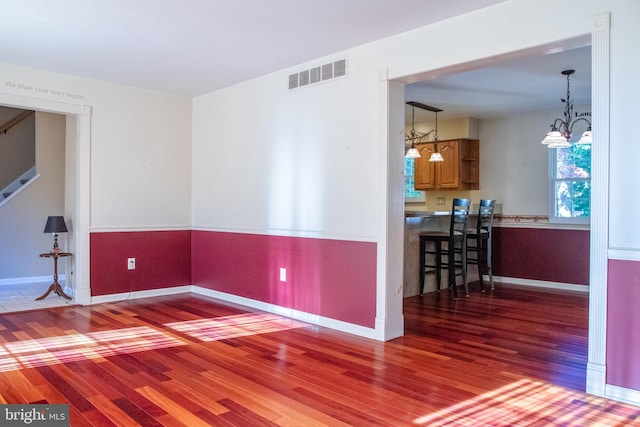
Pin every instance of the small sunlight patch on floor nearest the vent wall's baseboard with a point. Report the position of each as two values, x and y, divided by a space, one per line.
235 326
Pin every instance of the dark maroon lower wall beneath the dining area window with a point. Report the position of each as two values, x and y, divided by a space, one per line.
542 254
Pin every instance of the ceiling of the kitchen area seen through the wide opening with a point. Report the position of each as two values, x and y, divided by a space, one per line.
531 82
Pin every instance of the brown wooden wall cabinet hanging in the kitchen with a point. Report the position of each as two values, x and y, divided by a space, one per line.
459 170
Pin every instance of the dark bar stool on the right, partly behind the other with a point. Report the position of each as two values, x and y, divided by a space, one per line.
479 252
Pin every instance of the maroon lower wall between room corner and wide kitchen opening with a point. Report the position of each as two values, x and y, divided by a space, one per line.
331 278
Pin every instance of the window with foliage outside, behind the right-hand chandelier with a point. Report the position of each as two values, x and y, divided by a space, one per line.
570 184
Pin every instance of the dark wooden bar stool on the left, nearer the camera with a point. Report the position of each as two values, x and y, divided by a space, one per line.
455 249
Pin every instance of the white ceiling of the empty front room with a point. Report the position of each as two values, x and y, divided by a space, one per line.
191 47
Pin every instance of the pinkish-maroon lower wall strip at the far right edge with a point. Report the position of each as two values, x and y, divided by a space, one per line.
623 324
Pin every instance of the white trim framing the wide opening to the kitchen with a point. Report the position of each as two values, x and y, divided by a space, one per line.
597 29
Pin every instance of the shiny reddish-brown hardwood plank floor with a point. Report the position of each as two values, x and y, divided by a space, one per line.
514 357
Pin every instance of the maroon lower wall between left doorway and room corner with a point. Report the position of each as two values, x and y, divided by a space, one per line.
163 260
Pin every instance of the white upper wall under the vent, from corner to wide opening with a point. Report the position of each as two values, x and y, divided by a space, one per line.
267 159
